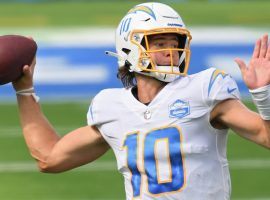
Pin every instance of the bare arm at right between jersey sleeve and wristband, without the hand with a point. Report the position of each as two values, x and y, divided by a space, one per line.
234 114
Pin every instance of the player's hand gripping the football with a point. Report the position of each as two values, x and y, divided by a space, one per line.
26 80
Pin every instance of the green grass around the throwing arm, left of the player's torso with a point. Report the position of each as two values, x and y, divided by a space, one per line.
20 179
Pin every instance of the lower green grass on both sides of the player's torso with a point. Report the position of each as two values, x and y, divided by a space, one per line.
20 179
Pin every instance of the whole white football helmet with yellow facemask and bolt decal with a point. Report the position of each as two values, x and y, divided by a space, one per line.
132 40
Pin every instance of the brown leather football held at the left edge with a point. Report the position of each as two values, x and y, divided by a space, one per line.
15 52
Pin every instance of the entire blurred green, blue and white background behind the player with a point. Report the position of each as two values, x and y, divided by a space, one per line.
72 37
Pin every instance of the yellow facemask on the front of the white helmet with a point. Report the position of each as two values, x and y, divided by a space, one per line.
148 66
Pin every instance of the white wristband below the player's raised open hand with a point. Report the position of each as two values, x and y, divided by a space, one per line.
261 98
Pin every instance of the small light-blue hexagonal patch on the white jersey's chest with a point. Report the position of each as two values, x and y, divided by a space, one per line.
179 109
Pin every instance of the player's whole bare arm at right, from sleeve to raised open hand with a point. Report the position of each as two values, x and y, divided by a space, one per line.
256 75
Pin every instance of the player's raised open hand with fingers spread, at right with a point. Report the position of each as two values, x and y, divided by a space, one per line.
257 73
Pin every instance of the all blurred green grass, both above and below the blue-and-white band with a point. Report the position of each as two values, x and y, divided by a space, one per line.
20 180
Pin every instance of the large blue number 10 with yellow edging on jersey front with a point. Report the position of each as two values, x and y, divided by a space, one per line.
173 137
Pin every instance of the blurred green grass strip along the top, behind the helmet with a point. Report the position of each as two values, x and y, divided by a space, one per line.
109 13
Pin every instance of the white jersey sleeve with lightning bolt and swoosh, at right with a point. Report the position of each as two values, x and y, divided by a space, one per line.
219 86
